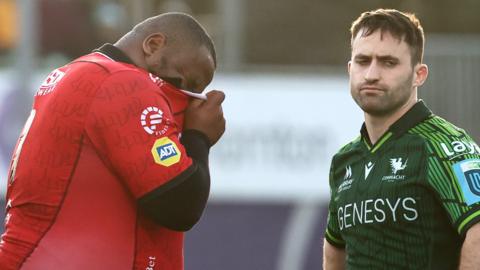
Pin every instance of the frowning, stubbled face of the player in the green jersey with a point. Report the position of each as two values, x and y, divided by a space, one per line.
381 74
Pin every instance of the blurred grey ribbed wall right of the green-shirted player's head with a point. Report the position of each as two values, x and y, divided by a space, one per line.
453 87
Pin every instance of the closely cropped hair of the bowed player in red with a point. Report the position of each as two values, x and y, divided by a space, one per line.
179 28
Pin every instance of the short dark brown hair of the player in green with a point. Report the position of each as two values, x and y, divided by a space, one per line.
404 26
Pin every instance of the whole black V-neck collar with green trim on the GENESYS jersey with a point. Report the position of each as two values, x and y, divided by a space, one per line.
418 113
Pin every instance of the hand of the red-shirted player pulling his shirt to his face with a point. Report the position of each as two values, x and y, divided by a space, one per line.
207 116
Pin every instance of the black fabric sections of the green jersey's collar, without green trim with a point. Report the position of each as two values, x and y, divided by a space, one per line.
418 113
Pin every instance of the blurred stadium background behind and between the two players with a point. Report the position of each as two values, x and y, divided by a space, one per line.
282 65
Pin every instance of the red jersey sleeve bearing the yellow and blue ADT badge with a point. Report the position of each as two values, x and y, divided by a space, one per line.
132 127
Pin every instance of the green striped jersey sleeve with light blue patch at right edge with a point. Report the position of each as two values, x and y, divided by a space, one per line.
454 173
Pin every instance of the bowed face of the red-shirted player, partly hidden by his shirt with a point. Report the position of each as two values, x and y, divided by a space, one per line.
187 69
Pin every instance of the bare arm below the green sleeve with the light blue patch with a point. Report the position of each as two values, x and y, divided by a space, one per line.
469 258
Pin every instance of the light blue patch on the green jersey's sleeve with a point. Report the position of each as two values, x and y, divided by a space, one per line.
468 176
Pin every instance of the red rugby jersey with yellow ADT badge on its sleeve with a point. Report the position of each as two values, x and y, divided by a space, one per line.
101 135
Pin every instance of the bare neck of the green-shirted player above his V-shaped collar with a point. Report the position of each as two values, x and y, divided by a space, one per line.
378 125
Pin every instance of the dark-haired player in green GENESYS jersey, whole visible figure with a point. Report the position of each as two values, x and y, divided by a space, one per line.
405 194
